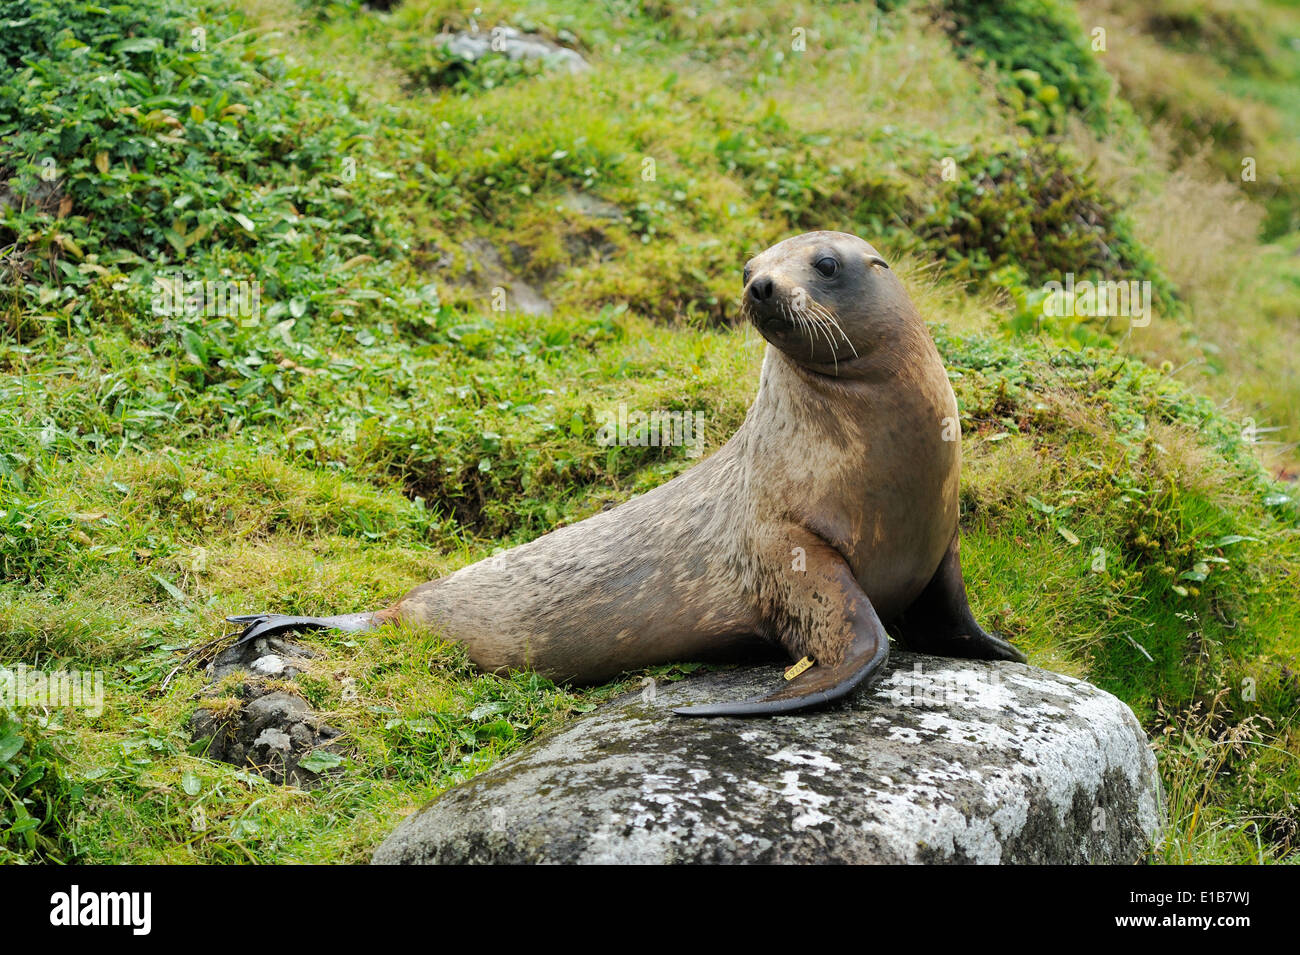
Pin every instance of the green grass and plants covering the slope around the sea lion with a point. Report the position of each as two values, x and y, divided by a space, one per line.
383 426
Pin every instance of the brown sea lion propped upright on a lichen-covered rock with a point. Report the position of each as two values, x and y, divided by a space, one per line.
829 516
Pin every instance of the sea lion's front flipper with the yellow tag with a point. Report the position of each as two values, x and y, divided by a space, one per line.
837 613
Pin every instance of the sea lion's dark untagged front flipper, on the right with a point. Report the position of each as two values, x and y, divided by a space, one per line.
941 620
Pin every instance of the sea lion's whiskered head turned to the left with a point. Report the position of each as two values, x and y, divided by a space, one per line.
829 301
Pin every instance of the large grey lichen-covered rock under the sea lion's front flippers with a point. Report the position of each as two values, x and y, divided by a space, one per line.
942 762
